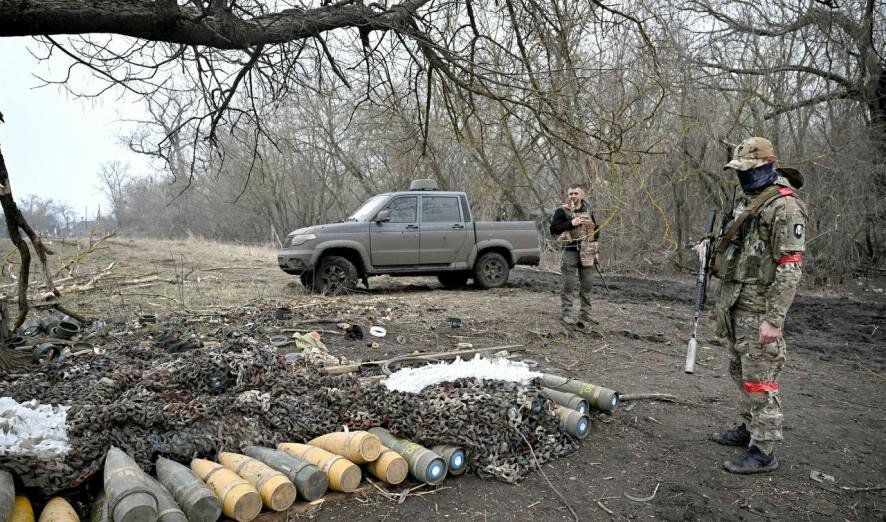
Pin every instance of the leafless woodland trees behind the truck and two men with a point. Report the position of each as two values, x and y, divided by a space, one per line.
510 101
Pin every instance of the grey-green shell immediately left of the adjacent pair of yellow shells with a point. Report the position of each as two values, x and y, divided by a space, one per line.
197 501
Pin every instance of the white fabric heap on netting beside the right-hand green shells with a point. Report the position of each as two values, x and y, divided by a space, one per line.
414 380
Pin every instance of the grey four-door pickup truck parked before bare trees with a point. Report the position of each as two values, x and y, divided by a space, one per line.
421 231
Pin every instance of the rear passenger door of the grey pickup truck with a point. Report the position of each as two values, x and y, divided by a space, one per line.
443 230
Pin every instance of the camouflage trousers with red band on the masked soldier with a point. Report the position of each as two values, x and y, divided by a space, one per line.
755 369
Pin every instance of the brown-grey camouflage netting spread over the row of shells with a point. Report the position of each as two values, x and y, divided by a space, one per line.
200 402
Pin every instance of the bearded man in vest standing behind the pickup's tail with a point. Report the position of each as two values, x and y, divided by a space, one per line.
576 230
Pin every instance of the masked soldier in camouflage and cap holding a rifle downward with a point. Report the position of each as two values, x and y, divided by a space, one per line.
759 260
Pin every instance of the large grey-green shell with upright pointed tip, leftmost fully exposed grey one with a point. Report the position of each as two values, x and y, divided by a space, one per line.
129 498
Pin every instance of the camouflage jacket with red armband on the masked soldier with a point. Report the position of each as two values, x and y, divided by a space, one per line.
768 257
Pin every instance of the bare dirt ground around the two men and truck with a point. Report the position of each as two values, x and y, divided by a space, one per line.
834 387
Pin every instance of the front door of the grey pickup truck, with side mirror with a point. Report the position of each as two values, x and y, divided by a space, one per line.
396 242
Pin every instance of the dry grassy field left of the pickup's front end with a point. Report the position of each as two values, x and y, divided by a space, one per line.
153 275
